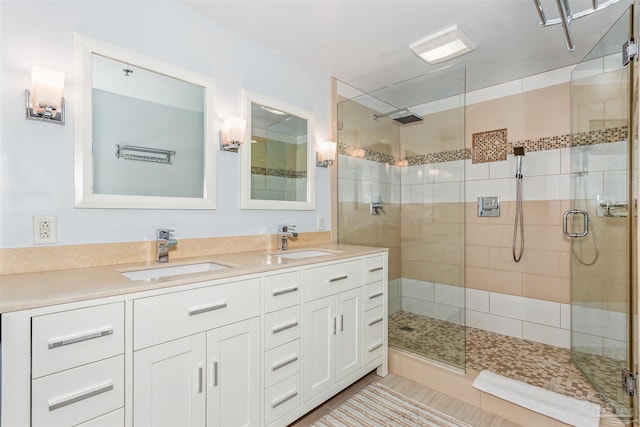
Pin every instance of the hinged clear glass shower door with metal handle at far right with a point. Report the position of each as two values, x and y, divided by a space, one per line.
600 218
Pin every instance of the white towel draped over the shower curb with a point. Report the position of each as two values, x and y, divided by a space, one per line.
557 406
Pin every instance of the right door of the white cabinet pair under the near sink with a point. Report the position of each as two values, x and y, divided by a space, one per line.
233 396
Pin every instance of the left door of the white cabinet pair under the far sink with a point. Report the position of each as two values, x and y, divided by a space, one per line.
318 346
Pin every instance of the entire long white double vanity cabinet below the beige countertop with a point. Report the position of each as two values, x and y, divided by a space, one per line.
254 349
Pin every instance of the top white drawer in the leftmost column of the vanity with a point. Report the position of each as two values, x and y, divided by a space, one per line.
72 338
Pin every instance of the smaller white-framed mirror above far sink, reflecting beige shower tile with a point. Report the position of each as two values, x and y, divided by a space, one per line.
278 158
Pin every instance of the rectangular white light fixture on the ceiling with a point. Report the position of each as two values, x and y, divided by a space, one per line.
443 46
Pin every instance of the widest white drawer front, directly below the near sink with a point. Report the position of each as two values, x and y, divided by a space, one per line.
175 315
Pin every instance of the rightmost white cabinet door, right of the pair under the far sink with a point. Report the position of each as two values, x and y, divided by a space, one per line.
349 332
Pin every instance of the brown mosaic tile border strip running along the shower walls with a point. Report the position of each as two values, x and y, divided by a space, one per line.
594 137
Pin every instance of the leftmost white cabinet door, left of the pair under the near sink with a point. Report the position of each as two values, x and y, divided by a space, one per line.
169 383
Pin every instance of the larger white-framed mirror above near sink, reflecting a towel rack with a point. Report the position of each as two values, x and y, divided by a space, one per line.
144 131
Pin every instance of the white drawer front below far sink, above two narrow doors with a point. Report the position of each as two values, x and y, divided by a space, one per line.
327 280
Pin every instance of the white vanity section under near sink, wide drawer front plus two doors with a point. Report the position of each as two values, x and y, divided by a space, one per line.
192 373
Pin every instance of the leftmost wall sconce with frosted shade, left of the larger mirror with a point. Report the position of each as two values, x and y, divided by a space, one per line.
45 102
